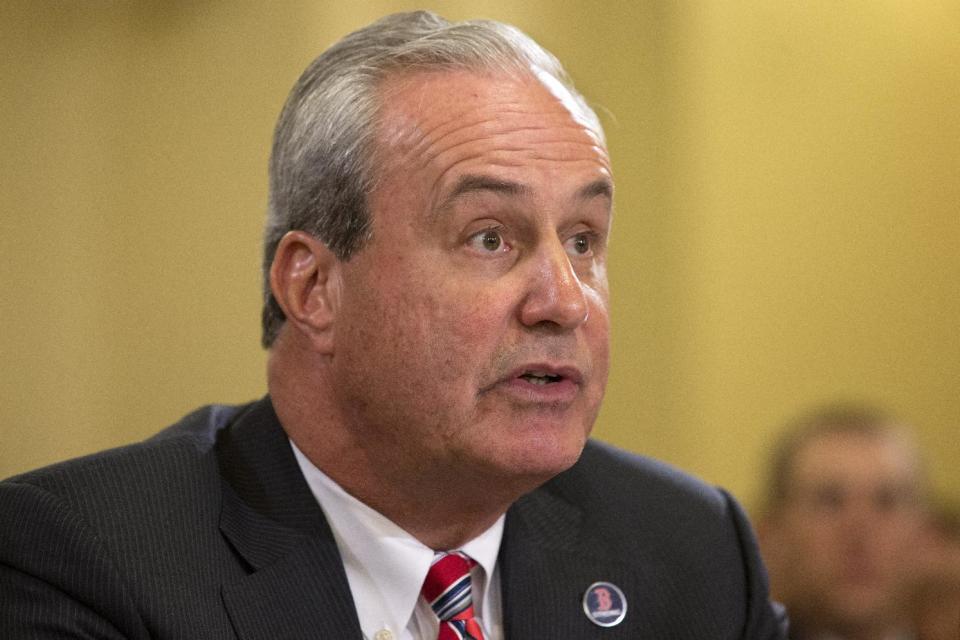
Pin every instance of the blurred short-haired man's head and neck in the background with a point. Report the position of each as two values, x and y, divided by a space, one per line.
843 519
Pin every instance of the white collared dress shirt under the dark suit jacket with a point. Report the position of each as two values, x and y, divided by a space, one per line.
386 566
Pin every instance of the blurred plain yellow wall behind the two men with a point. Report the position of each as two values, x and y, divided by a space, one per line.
787 226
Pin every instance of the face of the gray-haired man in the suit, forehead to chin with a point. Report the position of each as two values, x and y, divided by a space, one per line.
472 333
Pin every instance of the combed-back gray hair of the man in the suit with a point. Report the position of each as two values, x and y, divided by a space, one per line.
321 164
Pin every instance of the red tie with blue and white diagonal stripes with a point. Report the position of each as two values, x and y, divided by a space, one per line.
447 589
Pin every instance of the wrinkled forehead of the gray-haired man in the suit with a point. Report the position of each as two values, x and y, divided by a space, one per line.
449 121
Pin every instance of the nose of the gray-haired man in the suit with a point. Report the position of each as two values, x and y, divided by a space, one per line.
555 296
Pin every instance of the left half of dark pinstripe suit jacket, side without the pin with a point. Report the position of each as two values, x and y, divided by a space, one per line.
154 541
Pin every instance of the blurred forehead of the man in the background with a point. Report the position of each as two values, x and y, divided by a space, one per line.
854 459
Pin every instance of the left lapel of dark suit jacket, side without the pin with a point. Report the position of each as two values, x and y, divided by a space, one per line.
295 586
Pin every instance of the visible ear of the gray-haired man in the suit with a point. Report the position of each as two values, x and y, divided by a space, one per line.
305 280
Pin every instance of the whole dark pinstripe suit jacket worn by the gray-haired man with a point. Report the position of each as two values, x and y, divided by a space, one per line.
209 530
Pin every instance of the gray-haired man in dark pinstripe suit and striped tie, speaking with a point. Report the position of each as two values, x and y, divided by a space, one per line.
437 316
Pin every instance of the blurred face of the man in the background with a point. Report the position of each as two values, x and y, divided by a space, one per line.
848 529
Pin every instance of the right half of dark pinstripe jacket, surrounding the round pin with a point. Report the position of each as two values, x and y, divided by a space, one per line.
680 550
